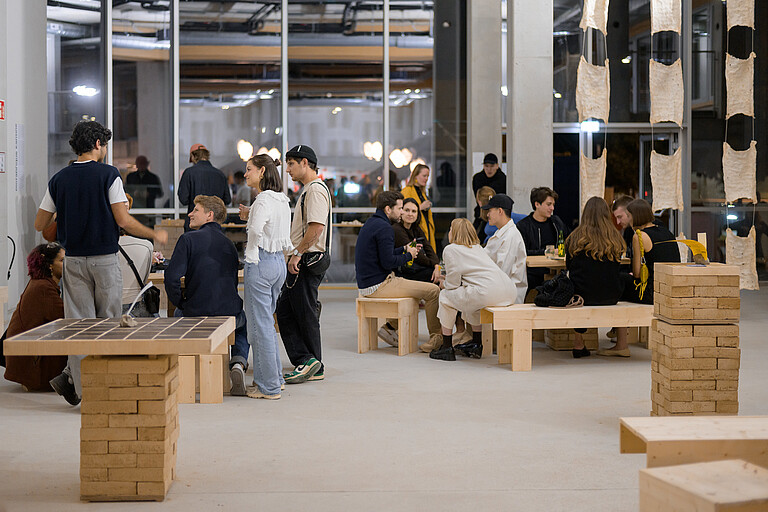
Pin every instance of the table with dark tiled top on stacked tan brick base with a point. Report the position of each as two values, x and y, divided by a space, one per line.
129 411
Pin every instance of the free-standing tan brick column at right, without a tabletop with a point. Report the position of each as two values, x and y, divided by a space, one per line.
695 340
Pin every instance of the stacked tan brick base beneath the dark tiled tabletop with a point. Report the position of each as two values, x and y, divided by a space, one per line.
129 427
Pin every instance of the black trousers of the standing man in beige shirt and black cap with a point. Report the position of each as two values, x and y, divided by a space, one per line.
298 316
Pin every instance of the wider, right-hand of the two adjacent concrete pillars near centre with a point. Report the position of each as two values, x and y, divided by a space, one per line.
529 103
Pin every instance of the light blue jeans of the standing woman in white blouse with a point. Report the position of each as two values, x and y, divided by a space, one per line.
262 287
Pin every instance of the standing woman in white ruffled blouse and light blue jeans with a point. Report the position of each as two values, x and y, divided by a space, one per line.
269 236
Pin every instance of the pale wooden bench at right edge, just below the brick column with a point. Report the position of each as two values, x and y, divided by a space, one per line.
672 440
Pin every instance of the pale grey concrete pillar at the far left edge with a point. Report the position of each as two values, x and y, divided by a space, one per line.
23 133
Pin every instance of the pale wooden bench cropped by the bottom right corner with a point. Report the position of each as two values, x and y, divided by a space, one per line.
733 485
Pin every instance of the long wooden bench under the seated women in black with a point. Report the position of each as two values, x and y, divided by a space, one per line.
513 325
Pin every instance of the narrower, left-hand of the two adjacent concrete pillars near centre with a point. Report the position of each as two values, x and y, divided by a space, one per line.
483 86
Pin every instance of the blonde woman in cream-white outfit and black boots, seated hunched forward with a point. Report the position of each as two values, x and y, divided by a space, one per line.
472 282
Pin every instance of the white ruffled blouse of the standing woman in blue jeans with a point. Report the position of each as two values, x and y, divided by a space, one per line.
269 225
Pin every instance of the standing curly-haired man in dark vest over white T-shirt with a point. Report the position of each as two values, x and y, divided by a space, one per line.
89 201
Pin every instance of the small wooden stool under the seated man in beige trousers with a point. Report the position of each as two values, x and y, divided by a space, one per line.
406 310
